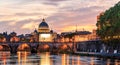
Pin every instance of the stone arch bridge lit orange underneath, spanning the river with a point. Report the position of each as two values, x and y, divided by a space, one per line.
34 47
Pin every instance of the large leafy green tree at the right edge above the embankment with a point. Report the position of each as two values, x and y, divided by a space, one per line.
109 24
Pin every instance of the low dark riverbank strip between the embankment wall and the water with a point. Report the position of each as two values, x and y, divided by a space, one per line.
104 55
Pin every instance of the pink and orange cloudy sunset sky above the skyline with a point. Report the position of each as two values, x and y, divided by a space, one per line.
23 16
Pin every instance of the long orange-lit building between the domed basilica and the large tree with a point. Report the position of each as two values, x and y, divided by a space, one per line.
78 36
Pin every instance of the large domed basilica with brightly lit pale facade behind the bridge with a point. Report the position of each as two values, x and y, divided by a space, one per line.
44 34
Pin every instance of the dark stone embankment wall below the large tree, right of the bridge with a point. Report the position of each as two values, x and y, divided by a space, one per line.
97 47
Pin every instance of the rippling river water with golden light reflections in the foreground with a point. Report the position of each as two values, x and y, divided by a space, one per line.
25 58
